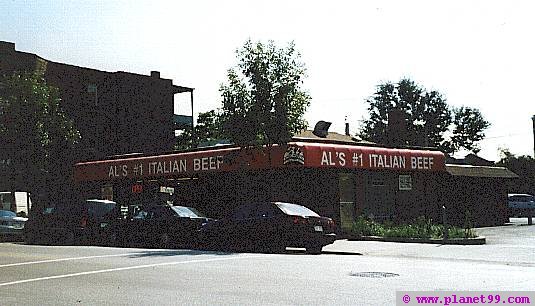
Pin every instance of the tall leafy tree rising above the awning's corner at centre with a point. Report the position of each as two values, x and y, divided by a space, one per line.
263 102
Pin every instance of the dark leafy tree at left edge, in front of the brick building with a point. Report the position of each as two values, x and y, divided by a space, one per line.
37 140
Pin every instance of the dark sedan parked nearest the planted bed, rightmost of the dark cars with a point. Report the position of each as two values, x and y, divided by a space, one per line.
270 226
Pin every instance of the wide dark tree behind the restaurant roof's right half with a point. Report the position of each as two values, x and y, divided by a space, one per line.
426 118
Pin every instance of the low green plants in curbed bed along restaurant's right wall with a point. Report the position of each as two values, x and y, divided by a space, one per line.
421 228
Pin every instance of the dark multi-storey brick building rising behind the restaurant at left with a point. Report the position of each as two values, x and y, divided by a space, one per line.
115 112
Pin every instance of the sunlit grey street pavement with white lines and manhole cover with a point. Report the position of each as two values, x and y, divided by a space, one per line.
347 273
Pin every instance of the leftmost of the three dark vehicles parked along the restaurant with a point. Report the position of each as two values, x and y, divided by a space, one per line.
78 222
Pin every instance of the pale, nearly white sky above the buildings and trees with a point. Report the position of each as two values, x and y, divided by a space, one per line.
475 53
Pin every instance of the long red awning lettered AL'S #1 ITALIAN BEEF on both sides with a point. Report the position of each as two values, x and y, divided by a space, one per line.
296 154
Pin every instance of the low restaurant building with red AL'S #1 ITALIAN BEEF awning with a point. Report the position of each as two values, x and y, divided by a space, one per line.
341 181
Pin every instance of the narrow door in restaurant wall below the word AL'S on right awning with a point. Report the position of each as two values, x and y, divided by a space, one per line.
347 191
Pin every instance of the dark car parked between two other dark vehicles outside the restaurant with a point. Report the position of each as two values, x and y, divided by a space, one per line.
161 226
